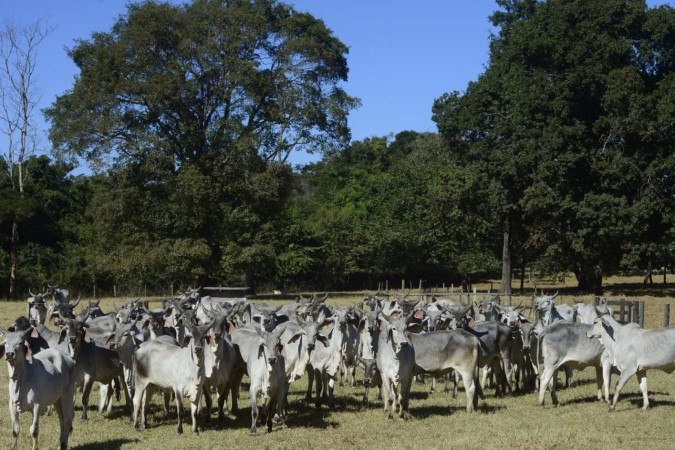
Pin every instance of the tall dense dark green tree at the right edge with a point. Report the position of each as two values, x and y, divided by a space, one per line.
558 118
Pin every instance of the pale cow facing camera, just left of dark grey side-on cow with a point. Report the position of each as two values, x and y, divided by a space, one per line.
395 361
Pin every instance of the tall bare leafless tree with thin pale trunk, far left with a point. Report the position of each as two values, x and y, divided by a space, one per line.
18 99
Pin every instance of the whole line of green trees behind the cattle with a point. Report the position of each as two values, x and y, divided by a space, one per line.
558 157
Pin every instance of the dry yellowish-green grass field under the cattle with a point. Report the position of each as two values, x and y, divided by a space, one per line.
437 420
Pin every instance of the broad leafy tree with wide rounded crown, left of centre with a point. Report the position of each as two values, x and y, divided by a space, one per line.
194 109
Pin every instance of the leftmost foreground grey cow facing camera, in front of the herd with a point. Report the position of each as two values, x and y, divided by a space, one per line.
37 381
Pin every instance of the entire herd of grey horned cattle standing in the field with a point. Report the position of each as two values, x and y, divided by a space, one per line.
195 346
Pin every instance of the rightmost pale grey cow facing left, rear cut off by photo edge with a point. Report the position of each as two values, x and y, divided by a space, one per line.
633 350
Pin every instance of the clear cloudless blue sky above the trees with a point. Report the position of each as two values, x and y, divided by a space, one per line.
403 53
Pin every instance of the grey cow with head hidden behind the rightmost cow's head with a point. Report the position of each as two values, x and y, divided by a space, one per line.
566 344
